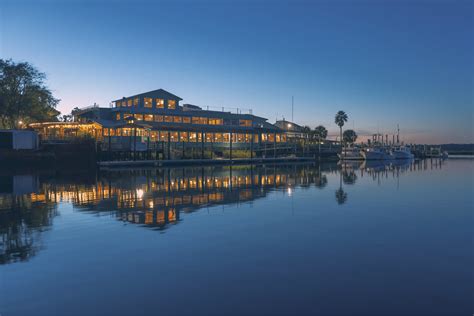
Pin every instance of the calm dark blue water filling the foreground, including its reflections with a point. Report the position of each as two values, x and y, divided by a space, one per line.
286 239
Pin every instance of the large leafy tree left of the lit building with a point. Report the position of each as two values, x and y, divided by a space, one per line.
24 95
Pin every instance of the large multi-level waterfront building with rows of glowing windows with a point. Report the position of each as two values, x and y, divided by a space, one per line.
142 121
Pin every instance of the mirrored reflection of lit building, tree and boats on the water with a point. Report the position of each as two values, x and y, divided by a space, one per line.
158 199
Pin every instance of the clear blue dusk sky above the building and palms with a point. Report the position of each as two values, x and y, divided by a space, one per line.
383 62
